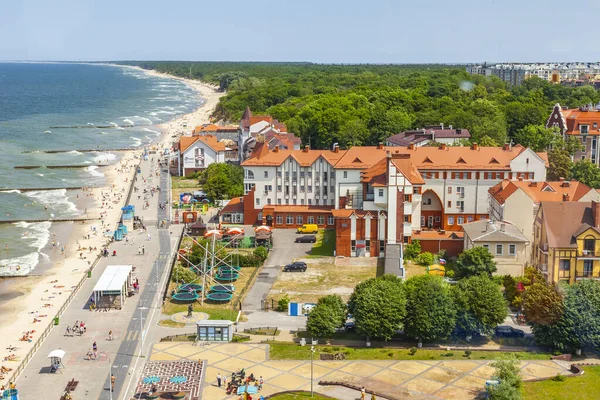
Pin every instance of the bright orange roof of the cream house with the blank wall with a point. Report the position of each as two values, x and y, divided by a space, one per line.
540 191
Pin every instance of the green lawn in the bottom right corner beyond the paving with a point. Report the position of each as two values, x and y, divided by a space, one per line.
585 387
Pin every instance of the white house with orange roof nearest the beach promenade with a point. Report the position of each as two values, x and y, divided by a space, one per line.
196 153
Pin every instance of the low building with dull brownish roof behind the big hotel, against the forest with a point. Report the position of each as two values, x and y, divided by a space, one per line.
422 137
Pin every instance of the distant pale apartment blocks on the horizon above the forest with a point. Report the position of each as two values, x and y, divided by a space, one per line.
574 74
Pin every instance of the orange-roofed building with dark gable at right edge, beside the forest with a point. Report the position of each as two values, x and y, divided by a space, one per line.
582 123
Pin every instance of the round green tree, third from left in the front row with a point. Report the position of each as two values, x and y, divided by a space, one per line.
430 310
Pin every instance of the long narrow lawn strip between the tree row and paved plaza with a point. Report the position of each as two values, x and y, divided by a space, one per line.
293 351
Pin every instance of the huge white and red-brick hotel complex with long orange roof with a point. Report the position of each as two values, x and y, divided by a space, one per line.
378 196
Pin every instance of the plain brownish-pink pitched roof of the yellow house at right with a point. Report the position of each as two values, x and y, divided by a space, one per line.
563 219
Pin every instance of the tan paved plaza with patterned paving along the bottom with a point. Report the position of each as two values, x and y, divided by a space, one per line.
415 379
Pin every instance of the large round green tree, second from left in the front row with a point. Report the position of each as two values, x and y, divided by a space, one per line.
378 306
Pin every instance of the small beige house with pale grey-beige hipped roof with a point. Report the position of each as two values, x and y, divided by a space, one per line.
503 240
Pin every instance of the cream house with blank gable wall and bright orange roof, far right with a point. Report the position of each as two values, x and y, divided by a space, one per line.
517 202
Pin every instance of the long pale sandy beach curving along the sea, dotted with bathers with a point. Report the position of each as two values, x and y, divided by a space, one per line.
30 303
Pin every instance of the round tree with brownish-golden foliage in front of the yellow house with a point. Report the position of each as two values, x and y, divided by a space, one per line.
542 304
